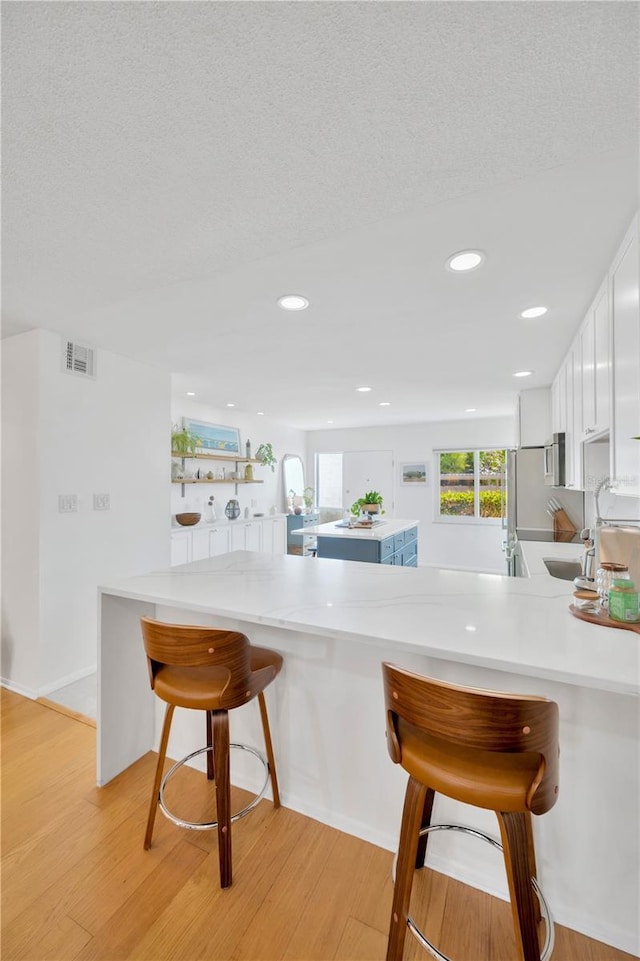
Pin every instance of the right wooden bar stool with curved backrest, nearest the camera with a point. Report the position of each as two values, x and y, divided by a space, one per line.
495 751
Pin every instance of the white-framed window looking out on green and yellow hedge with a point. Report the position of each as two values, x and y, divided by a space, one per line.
471 484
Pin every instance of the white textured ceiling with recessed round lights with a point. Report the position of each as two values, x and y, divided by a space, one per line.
170 169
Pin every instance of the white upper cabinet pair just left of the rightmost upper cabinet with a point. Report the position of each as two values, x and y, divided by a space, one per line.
594 340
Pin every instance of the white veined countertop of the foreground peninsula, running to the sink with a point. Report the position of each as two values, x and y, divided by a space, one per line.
520 625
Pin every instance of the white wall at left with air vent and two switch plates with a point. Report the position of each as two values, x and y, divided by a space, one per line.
82 436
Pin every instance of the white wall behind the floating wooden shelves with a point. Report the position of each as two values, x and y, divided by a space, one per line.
259 498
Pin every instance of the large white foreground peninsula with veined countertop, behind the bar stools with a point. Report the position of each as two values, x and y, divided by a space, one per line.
334 622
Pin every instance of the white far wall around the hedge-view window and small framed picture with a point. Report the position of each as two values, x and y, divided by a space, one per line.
467 546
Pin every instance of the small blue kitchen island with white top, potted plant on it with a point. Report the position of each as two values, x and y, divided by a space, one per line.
392 542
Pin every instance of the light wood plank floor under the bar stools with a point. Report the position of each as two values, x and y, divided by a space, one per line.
77 884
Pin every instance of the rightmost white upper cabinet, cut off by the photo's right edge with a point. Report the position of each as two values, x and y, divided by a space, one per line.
625 322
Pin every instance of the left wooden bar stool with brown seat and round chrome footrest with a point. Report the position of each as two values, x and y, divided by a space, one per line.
209 670
